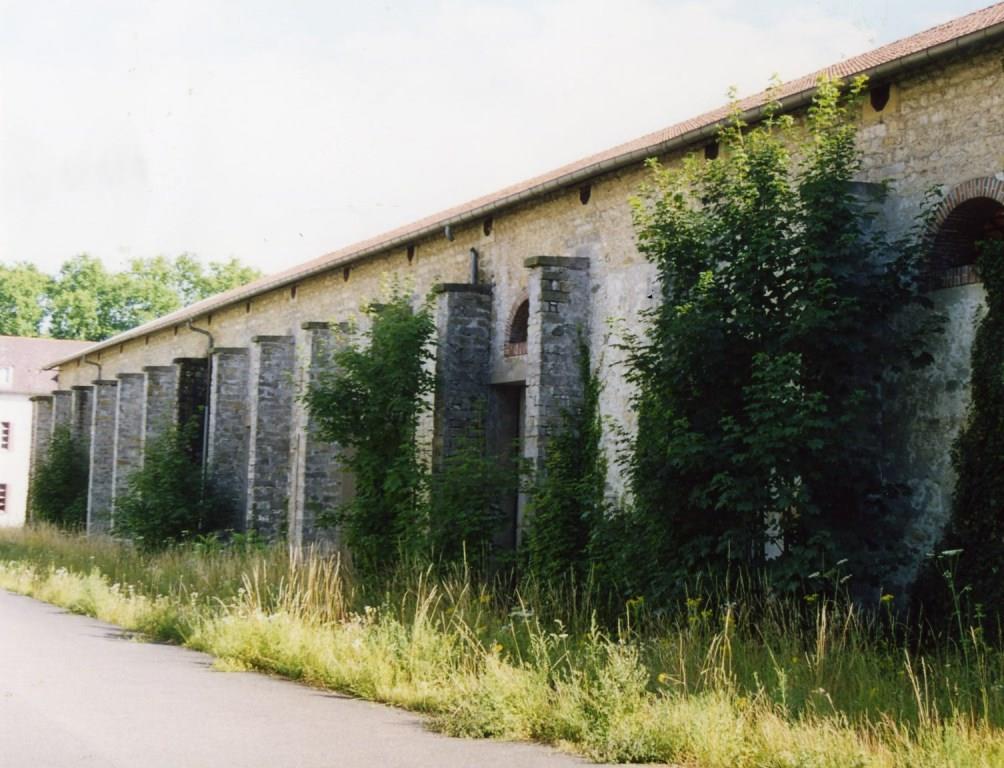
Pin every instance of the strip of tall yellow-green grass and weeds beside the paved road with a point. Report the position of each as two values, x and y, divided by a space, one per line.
718 684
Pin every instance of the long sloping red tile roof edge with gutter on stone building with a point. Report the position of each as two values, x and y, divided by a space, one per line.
942 40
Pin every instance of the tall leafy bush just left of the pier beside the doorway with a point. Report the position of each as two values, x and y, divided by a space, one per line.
370 404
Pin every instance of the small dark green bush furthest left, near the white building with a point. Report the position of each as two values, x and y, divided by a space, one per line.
58 493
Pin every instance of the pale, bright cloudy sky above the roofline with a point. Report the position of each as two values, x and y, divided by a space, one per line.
278 132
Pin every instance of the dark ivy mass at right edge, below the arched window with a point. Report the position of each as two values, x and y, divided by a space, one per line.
977 525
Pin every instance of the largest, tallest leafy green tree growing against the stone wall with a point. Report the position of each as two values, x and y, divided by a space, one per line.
759 379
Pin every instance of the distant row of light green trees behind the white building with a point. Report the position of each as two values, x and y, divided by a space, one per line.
86 301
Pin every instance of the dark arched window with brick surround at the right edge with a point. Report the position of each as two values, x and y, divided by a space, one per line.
955 245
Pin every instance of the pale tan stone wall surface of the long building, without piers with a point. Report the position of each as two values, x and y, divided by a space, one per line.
943 126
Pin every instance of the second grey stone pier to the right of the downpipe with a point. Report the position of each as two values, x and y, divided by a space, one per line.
271 413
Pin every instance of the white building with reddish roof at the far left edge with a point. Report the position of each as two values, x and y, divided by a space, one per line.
22 378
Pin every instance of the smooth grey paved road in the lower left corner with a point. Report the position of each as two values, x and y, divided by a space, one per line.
76 692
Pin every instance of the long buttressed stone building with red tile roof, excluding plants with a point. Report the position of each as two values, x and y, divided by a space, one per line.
520 275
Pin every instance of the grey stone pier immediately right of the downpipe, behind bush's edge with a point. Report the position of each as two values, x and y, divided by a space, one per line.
227 458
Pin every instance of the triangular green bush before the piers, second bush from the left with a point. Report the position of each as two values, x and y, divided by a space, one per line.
169 500
